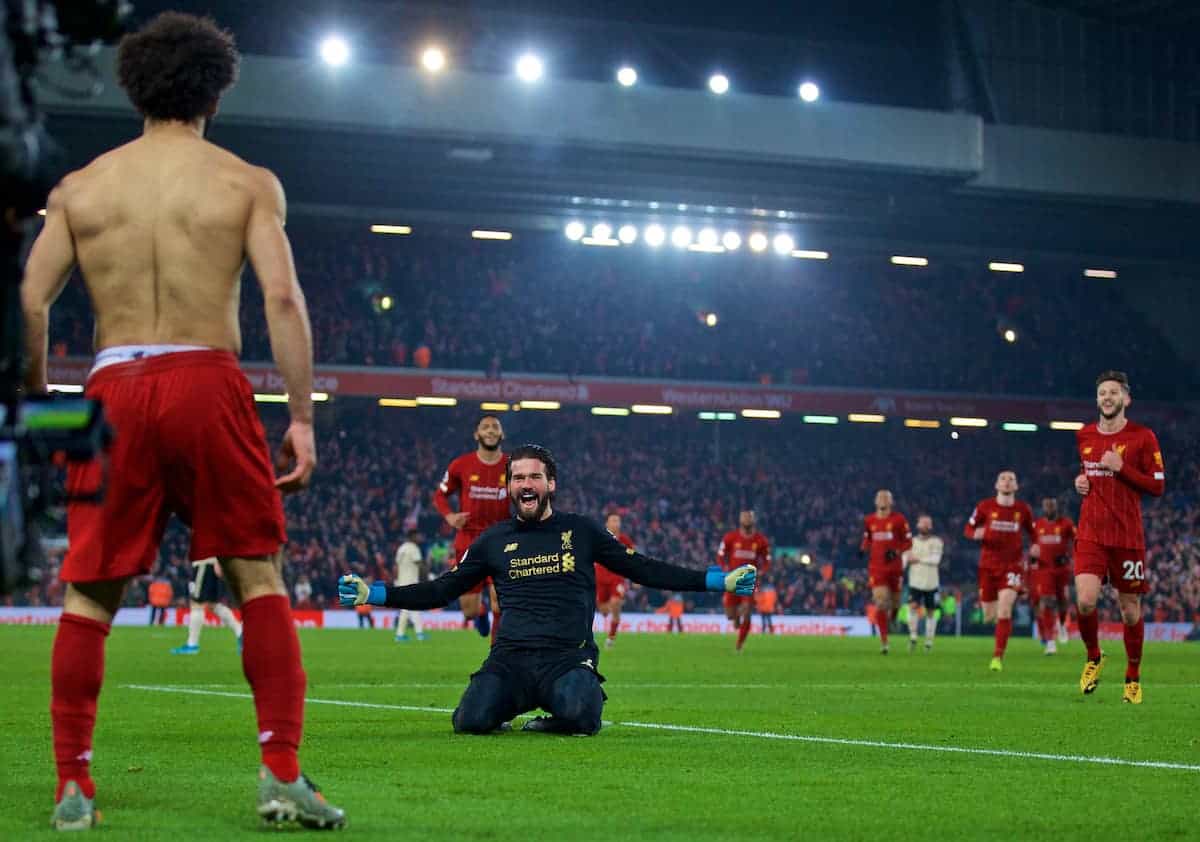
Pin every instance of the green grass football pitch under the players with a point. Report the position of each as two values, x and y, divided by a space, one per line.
182 766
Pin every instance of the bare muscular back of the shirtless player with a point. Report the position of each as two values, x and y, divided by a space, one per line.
160 236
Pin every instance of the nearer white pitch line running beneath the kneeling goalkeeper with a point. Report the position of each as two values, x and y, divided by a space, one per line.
725 732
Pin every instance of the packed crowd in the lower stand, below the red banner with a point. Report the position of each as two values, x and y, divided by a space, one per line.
680 484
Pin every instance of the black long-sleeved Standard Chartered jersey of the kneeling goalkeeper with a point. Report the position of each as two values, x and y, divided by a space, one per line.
545 579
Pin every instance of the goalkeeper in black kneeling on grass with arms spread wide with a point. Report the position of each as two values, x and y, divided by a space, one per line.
543 566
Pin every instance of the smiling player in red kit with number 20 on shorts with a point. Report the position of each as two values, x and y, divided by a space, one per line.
1121 461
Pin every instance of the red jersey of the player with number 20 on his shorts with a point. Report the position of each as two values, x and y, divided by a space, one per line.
1112 510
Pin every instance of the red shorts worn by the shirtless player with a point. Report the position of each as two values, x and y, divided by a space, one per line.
188 441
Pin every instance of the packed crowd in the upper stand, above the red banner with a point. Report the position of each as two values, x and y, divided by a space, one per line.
542 304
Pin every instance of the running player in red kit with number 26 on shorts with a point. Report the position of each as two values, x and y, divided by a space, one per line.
998 525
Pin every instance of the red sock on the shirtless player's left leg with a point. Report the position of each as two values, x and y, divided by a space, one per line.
77 671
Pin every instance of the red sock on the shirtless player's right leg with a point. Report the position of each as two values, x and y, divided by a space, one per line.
272 664
